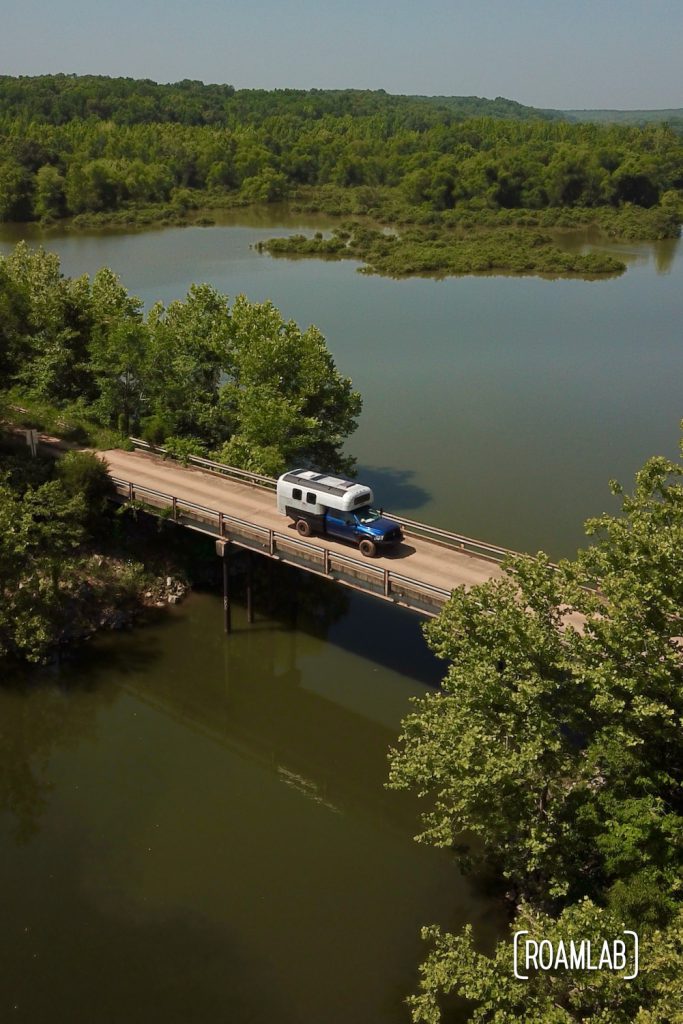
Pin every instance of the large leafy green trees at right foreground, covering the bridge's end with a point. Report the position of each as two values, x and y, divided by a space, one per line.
560 748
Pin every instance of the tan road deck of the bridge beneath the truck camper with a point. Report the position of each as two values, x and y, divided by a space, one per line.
435 567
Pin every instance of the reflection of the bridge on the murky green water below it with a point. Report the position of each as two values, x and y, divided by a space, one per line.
288 700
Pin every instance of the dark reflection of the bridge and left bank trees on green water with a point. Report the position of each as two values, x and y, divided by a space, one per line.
258 681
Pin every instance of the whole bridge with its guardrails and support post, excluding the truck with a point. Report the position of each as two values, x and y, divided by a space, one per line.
239 509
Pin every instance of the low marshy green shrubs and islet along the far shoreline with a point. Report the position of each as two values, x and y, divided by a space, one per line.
458 243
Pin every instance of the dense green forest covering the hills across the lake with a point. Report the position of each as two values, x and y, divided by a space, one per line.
103 150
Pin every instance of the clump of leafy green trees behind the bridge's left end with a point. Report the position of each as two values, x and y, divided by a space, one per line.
234 379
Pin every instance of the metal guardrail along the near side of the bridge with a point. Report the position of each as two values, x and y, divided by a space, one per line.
331 565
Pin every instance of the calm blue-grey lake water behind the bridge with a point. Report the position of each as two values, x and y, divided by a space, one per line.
497 407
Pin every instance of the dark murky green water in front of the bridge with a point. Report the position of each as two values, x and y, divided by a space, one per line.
215 827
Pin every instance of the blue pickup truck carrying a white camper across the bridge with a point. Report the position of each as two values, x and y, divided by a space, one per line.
333 507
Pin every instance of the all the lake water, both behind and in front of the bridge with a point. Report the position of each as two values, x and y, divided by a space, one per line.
195 828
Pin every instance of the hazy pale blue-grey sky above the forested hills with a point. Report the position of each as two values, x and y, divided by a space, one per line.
568 54
